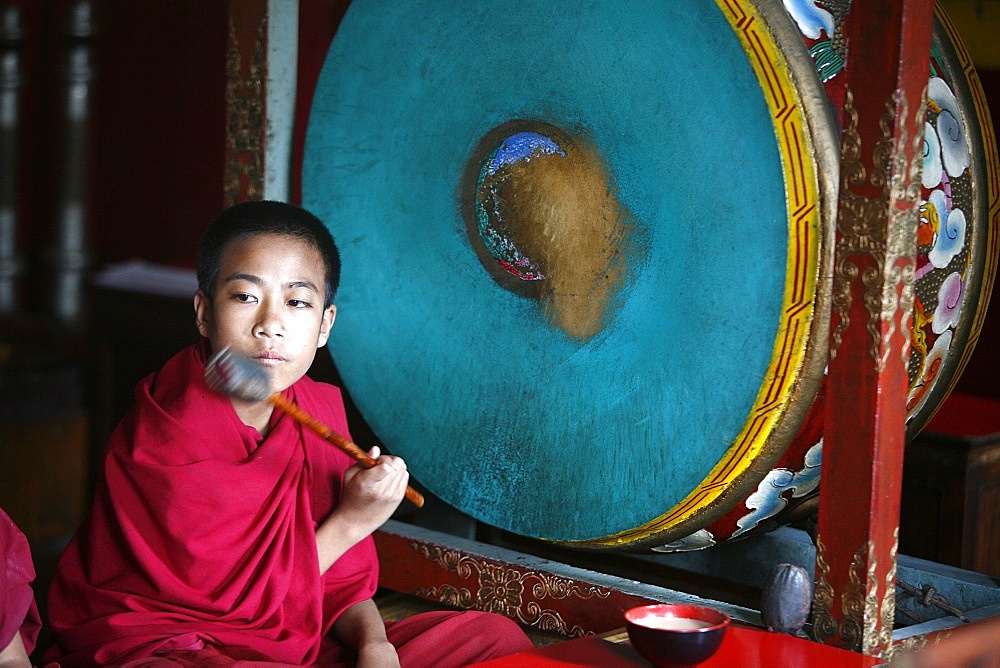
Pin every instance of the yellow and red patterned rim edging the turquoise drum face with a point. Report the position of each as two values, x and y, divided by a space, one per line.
806 138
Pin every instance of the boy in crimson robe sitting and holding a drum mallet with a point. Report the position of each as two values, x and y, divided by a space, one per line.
222 530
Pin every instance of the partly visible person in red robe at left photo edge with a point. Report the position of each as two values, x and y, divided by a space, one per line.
19 619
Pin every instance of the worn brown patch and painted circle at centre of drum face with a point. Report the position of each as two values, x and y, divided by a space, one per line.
547 214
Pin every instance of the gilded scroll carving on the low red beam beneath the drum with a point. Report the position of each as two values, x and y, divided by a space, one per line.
507 591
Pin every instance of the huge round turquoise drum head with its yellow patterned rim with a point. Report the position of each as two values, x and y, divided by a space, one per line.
587 254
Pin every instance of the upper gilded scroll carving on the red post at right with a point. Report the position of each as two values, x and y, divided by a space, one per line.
888 271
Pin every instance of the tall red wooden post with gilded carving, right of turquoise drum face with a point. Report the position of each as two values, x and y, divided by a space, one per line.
888 52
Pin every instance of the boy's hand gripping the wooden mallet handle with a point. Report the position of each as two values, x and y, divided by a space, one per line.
375 492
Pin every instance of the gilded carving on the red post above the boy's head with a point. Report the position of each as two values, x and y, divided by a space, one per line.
244 178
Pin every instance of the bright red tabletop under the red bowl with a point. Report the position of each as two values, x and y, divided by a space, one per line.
742 646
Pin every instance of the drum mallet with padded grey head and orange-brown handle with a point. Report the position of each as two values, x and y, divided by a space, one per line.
234 375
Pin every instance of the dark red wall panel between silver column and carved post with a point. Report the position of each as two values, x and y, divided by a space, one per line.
159 128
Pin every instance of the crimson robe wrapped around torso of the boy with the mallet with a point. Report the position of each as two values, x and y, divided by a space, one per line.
202 535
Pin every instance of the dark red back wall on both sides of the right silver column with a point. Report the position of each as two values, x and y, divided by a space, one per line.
157 126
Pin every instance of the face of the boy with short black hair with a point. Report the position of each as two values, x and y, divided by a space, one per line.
268 305
